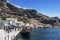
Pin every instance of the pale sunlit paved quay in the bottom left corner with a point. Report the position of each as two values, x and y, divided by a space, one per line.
8 36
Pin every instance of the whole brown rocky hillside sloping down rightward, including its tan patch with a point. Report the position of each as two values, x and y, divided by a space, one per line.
27 15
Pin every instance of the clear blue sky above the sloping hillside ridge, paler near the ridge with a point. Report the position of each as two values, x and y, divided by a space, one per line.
47 7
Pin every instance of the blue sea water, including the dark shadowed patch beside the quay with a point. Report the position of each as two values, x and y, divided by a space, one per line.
42 34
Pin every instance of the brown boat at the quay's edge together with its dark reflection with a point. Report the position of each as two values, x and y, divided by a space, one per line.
25 33
